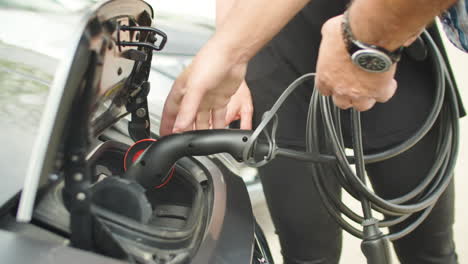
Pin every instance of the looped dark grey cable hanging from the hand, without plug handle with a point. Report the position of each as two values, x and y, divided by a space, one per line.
332 156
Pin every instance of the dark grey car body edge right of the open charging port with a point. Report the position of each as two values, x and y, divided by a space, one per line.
232 221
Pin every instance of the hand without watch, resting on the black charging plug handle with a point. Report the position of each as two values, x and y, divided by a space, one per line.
200 95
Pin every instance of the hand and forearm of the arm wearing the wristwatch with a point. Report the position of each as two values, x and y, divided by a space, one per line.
385 23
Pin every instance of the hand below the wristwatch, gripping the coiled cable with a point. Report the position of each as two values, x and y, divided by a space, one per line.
349 85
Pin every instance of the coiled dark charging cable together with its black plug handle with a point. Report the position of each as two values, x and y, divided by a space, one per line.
157 160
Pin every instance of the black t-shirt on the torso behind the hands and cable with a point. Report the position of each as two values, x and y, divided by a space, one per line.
294 52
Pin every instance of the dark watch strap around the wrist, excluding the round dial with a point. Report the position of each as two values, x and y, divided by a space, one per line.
354 45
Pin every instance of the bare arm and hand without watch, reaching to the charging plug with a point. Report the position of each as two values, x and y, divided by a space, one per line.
199 96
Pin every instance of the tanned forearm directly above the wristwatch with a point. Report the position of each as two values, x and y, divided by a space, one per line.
390 23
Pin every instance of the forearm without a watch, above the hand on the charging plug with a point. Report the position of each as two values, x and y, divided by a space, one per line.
245 26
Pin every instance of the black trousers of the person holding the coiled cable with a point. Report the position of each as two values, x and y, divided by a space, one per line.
309 235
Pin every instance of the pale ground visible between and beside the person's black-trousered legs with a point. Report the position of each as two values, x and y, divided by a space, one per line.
351 250
